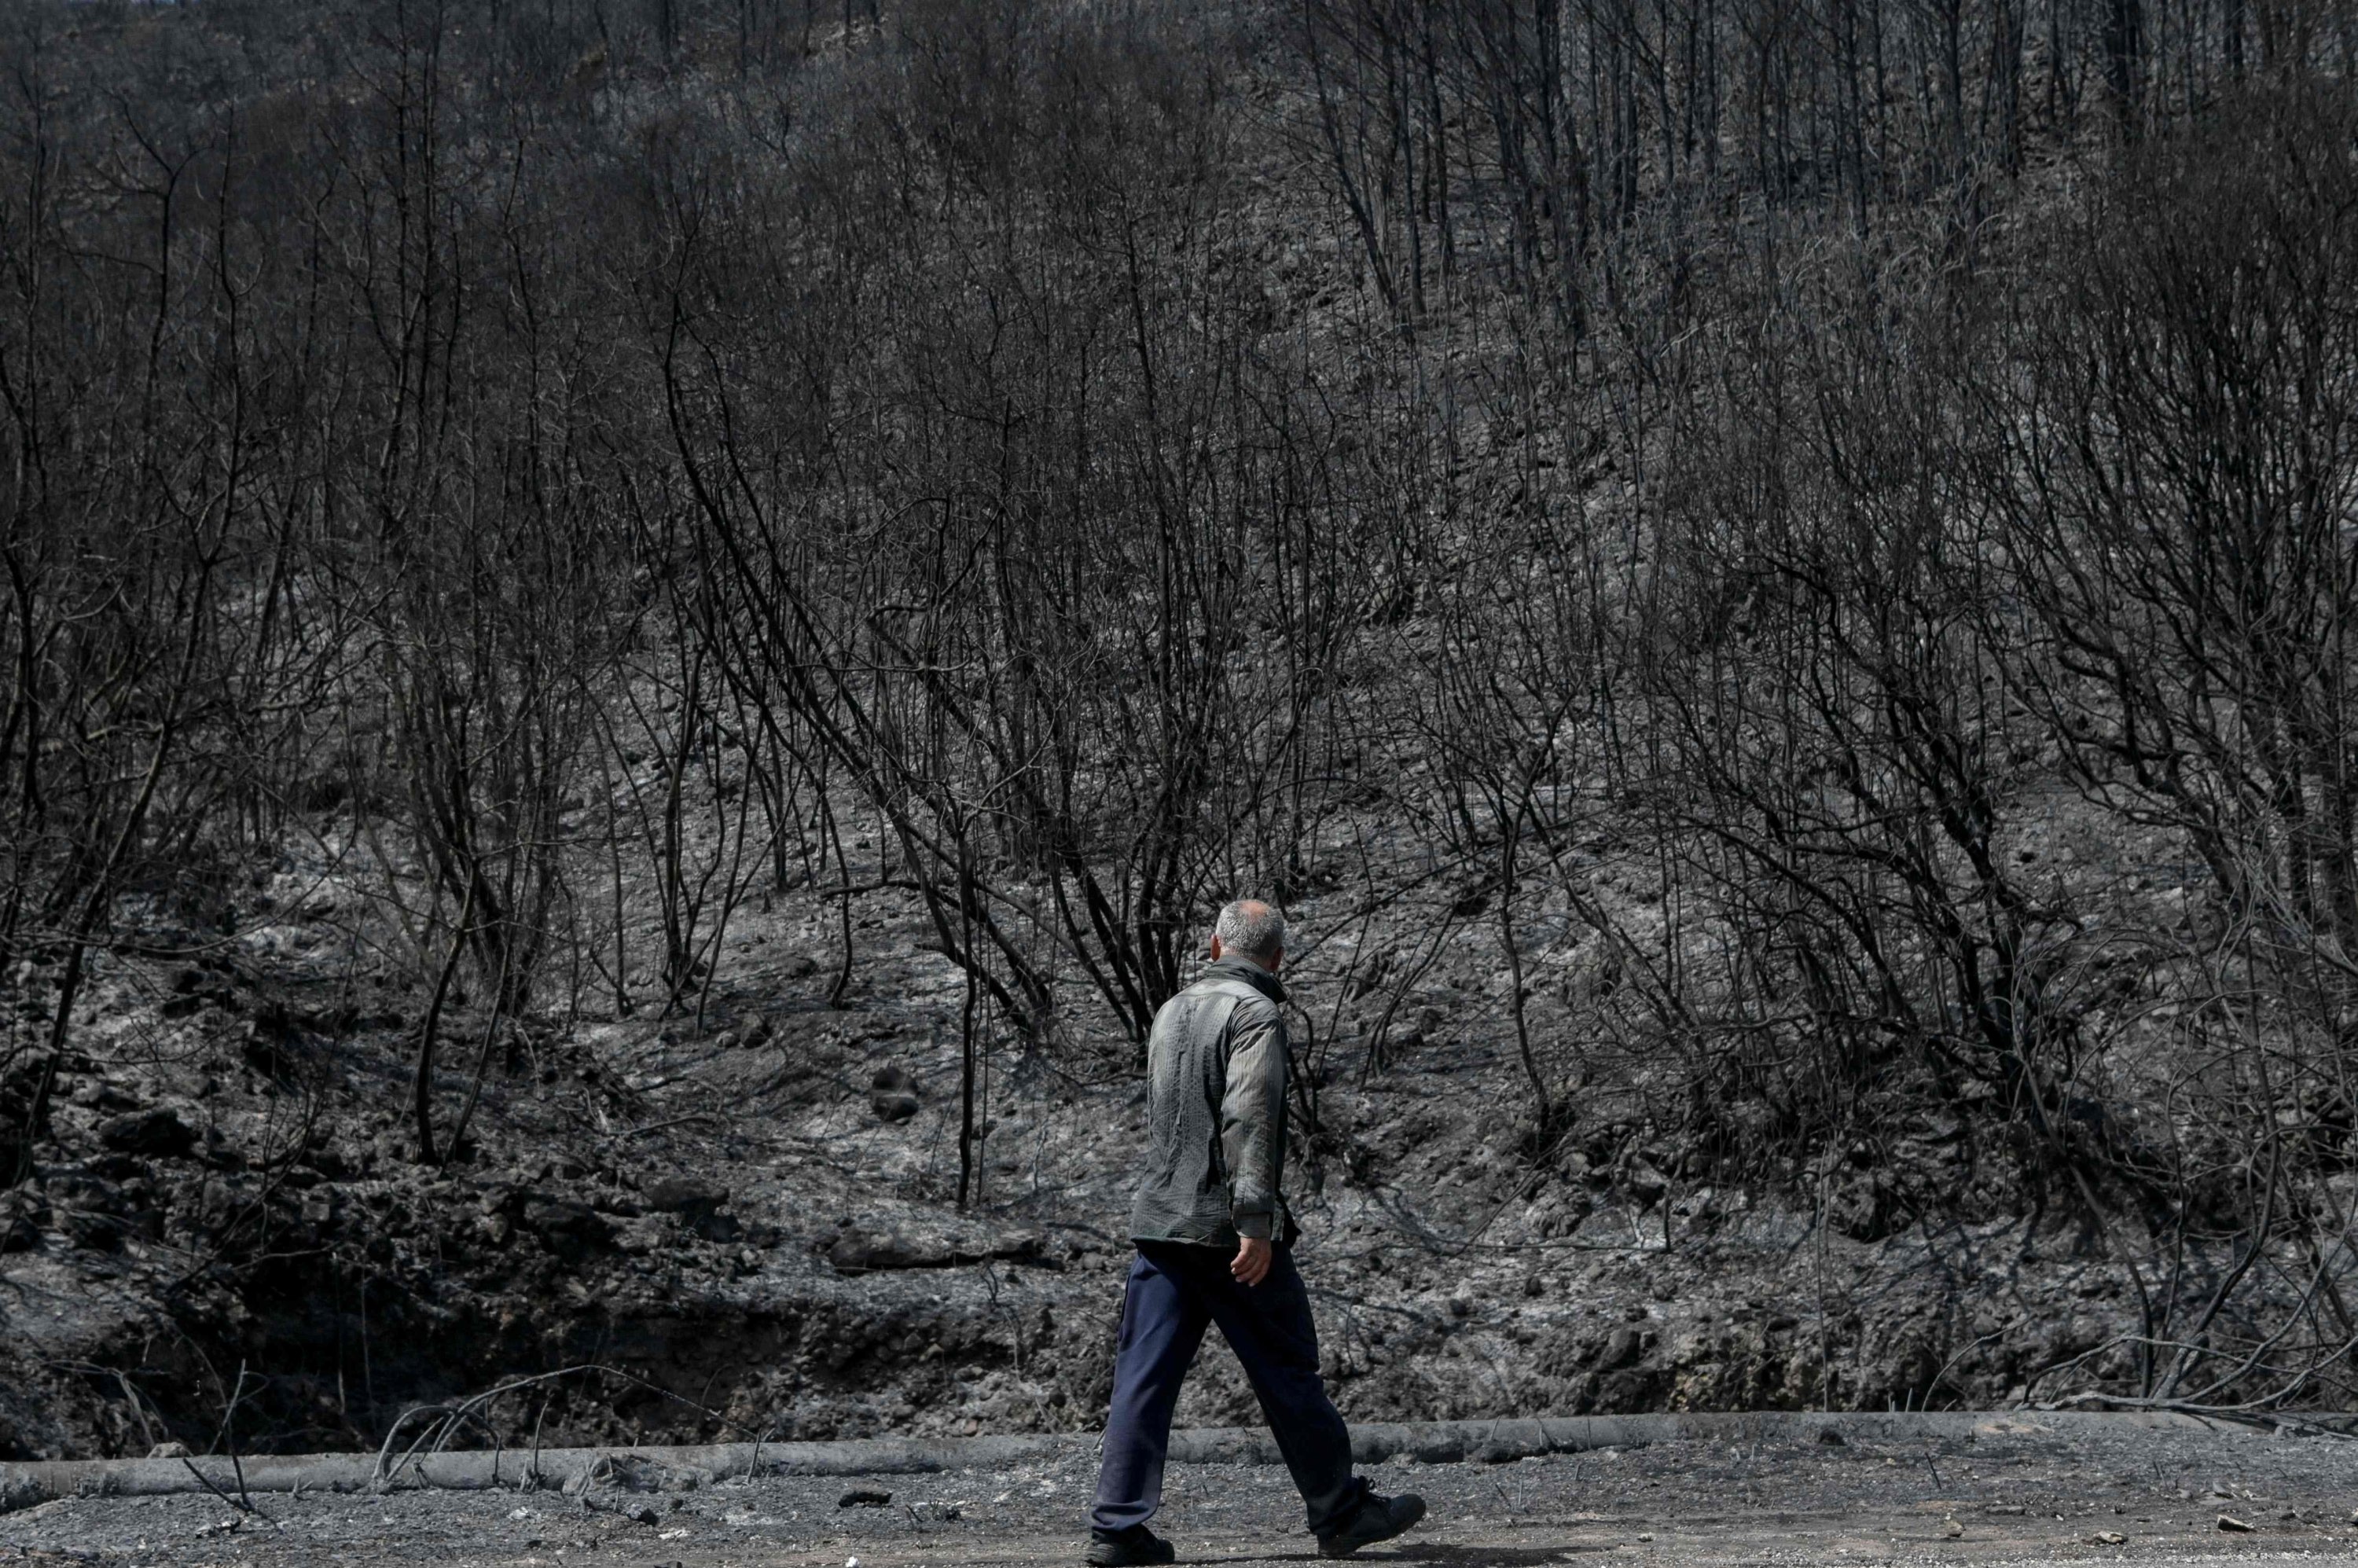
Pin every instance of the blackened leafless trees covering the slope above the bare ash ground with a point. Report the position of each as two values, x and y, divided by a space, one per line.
1812 539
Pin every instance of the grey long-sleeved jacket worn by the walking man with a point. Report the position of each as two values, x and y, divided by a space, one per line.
1216 1112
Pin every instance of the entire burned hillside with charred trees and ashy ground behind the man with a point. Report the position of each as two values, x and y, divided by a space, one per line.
643 635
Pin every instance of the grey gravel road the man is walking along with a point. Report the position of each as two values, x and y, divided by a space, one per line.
2013 1491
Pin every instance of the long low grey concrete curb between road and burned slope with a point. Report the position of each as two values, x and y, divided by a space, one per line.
647 1470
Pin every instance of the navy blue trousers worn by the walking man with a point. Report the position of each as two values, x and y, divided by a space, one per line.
1175 1291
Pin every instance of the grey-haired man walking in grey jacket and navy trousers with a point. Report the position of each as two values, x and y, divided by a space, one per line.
1216 1246
